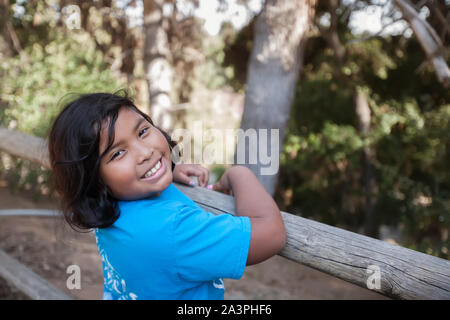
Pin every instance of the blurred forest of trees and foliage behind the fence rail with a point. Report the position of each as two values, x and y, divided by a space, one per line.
365 141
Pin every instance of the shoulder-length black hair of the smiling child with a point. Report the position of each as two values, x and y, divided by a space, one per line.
73 144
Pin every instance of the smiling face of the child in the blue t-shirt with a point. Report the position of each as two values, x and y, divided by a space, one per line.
138 165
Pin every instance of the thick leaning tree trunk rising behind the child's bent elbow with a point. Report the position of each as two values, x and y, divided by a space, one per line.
279 37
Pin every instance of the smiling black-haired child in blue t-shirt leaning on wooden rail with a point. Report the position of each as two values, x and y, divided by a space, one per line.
112 168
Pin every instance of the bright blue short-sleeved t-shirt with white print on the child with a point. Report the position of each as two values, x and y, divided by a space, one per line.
168 247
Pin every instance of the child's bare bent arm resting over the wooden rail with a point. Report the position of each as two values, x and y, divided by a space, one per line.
268 235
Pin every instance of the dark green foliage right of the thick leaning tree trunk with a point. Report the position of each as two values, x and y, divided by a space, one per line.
322 169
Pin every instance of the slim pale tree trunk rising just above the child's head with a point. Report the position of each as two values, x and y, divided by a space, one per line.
157 65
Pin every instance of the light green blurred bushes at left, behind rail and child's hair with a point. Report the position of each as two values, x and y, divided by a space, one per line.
32 86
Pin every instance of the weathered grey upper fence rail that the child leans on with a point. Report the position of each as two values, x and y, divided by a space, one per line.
404 273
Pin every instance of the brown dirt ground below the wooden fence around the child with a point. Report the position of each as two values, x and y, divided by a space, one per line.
48 247
